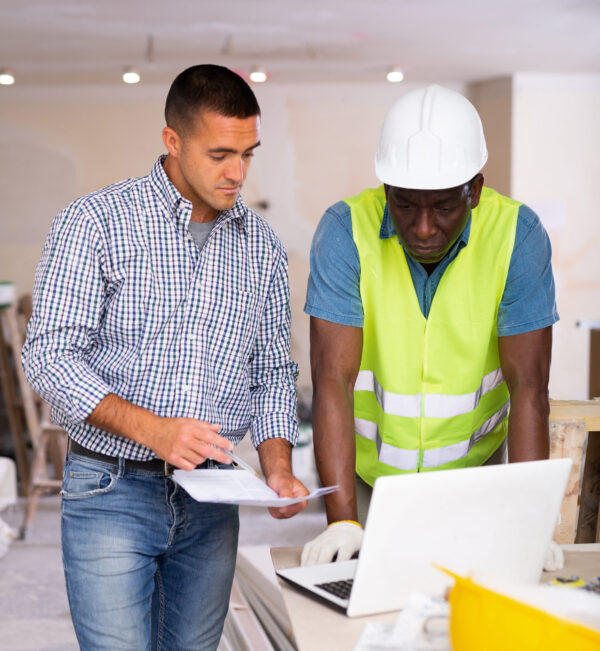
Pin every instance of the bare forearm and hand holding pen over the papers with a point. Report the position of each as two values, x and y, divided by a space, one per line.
182 442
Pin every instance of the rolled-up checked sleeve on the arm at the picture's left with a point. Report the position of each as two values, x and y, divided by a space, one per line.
67 307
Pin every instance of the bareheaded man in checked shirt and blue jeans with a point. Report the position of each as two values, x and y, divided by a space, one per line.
160 334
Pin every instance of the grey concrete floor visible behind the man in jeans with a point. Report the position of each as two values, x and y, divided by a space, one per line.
34 613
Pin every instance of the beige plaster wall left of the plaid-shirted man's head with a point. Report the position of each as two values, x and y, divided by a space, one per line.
58 144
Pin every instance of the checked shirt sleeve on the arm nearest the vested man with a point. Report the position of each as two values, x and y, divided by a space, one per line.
272 373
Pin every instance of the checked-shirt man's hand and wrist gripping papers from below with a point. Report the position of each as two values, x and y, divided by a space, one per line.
276 462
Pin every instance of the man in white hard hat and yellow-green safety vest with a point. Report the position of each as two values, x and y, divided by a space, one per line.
432 302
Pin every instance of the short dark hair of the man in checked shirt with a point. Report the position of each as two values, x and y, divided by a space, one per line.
208 87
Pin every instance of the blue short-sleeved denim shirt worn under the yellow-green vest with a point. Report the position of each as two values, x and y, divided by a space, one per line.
333 294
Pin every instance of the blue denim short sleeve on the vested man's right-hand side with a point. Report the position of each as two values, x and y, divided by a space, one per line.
528 302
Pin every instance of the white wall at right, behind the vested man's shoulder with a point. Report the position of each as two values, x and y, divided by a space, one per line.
555 169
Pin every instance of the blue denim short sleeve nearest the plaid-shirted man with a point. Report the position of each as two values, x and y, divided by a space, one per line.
333 292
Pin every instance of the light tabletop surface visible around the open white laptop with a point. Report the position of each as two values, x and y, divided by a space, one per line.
317 626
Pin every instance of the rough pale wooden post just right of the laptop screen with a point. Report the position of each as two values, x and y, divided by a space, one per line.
568 439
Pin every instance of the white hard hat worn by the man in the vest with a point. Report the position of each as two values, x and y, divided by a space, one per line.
431 139
